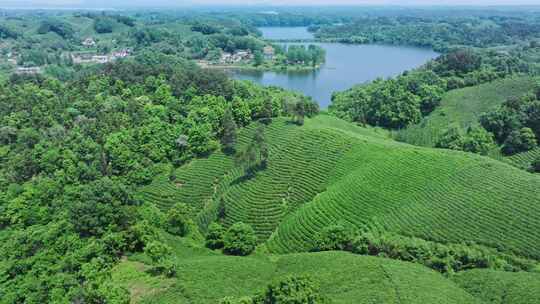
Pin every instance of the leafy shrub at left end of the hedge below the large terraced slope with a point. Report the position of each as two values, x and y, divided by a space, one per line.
335 237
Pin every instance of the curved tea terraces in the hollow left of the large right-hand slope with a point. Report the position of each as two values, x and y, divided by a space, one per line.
296 172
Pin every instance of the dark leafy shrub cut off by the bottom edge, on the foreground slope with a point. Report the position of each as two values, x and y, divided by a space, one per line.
291 290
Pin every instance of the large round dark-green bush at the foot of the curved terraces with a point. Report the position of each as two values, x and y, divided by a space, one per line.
240 240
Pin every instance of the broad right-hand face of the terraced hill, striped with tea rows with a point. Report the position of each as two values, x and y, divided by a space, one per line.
438 195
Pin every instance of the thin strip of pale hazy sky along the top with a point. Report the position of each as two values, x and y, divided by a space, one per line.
170 3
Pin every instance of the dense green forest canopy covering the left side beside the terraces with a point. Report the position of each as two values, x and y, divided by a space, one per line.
74 152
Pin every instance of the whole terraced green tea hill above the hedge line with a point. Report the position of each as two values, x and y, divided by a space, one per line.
322 173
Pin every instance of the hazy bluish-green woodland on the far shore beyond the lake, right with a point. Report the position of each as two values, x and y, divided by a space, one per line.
442 32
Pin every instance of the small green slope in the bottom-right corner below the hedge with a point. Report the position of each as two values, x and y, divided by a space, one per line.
495 287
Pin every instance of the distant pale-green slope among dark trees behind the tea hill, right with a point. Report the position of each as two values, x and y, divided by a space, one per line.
463 107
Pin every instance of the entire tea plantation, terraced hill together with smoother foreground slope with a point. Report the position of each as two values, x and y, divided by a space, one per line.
326 172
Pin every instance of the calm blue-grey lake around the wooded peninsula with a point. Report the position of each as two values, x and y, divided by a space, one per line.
346 65
